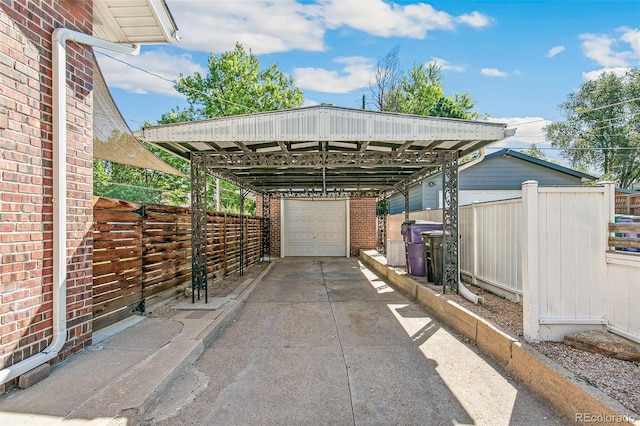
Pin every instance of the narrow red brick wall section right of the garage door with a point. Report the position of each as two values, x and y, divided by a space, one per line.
362 222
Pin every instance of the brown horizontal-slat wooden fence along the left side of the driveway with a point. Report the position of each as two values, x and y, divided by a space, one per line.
141 250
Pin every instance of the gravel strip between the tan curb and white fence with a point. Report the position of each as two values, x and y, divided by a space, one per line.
617 378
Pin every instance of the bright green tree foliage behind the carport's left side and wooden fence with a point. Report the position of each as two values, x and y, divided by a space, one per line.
235 84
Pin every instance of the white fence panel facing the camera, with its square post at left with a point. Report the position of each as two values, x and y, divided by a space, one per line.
565 242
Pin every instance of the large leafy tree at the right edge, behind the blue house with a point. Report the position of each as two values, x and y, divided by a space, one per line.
601 130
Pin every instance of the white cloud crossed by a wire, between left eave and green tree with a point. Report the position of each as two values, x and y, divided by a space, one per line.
168 67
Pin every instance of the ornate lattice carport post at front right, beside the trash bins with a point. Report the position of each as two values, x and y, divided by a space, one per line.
451 270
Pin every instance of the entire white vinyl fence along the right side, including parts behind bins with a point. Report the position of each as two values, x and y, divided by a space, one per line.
550 250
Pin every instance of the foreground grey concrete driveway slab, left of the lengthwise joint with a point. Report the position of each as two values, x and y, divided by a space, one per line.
270 386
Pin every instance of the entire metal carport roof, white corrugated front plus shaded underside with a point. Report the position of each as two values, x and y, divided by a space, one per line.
324 149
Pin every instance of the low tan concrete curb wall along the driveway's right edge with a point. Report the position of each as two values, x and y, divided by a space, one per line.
574 399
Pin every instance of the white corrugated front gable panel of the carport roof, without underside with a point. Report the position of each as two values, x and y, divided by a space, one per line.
327 124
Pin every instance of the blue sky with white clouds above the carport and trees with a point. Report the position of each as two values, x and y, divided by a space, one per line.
517 59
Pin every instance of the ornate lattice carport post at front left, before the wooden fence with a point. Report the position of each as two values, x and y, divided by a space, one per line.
198 226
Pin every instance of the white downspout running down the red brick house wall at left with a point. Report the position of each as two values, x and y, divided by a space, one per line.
59 39
